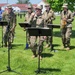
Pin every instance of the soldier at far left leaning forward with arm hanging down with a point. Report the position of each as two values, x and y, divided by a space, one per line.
10 17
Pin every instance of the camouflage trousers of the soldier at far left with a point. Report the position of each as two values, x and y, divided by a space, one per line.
7 36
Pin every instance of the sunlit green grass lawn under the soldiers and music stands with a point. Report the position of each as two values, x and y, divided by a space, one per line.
60 62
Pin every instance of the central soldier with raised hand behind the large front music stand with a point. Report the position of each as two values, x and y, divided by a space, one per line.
38 21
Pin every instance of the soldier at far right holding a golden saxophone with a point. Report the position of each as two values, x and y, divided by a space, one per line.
66 26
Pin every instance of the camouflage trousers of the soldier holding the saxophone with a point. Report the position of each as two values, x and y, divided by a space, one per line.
66 34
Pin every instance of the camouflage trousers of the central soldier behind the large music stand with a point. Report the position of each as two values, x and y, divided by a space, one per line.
36 44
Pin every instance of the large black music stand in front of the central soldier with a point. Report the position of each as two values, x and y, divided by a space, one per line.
39 32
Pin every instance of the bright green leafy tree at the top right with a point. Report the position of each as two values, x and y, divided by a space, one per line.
57 4
